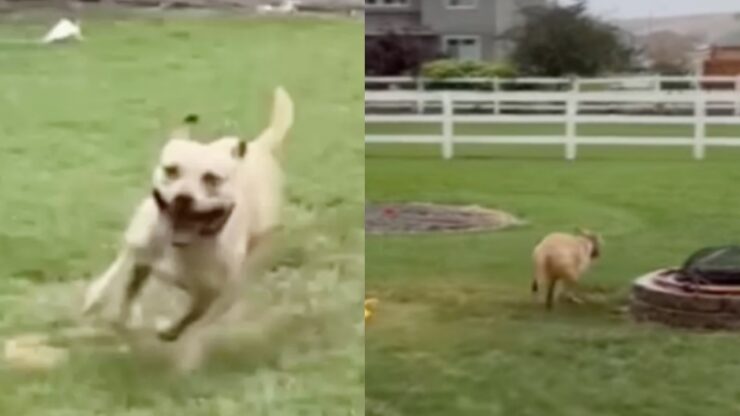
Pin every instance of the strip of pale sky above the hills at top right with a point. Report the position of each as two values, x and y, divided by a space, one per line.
646 8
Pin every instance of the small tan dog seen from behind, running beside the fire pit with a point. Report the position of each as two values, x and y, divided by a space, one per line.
563 258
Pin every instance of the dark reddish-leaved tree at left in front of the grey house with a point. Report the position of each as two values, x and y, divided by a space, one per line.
393 54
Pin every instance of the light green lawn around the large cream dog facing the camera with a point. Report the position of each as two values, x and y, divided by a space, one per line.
82 126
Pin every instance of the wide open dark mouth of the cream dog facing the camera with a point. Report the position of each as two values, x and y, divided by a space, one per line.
188 224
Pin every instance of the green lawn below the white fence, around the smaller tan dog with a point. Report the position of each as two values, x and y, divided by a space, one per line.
457 331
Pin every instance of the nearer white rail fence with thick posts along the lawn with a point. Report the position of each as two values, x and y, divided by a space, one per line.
571 108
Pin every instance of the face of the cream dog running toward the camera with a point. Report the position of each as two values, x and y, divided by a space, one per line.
194 186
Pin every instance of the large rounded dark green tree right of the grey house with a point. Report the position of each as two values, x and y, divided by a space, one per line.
559 41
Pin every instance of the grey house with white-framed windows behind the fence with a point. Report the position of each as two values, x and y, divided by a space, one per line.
460 29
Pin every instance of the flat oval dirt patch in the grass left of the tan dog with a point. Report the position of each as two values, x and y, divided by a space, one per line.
417 218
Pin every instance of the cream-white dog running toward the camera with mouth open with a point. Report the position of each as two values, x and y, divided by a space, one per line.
211 206
